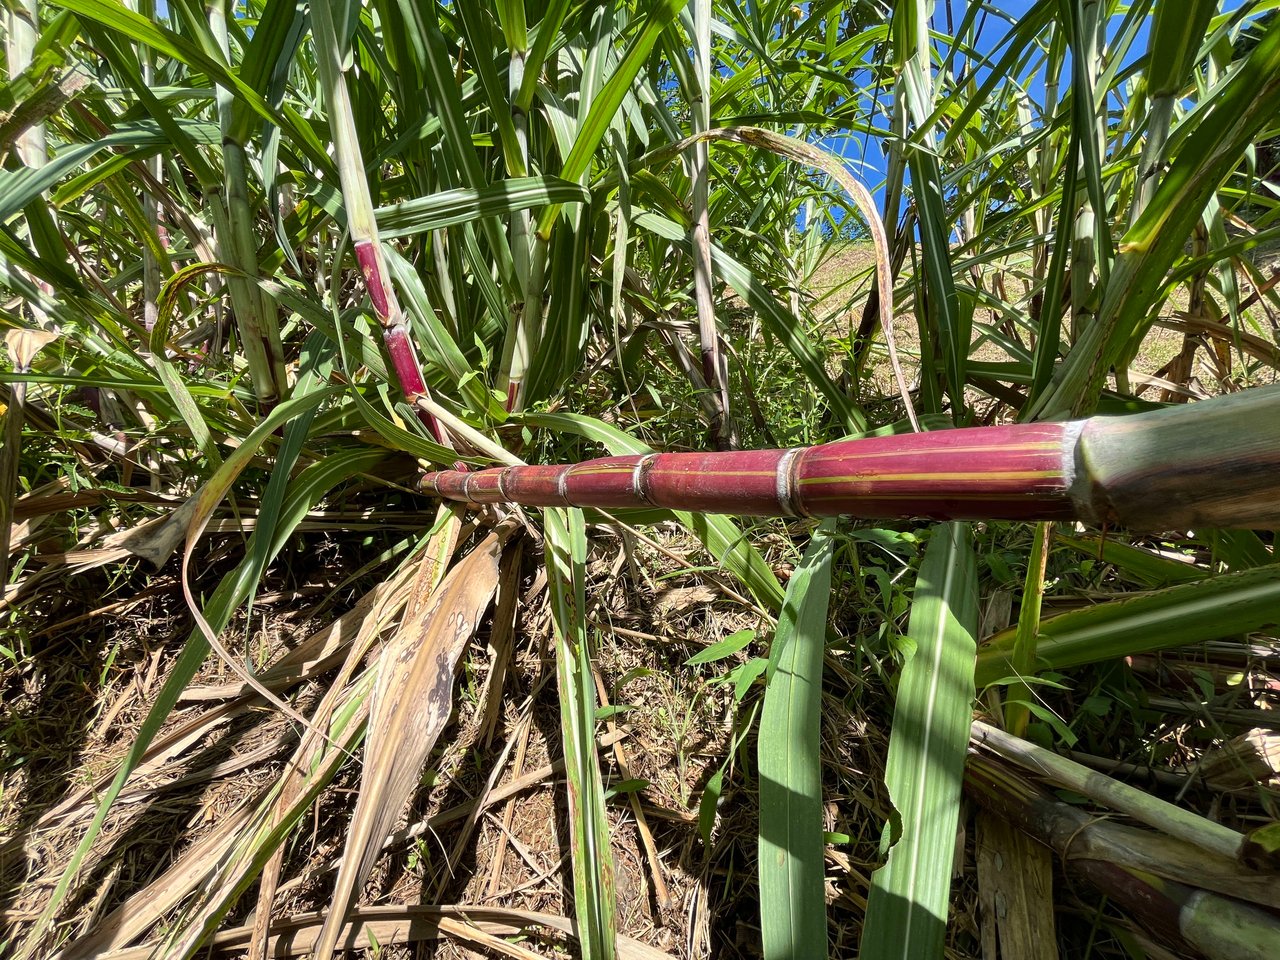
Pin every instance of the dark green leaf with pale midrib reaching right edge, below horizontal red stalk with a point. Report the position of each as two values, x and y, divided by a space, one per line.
1188 614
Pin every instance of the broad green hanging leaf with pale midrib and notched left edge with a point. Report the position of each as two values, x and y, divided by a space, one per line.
907 911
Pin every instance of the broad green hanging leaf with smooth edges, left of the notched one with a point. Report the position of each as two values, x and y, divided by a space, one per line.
793 902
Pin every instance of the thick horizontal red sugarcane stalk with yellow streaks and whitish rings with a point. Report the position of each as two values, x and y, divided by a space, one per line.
1212 464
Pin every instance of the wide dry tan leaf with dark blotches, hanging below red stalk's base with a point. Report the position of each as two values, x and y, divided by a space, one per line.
412 705
